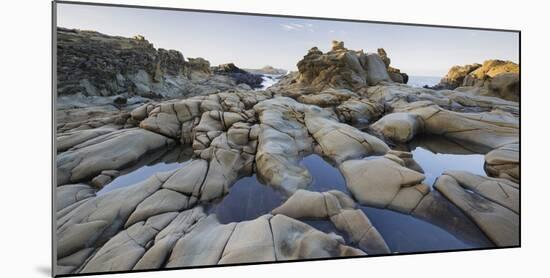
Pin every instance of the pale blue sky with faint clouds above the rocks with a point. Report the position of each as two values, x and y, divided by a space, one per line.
256 41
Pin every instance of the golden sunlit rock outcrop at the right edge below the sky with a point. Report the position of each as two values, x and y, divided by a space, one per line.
492 78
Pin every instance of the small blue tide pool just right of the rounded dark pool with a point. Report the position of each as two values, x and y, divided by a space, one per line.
325 176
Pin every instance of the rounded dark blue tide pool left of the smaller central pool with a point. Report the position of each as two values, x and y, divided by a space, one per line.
247 199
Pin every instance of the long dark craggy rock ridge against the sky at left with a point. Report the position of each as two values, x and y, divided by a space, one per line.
94 68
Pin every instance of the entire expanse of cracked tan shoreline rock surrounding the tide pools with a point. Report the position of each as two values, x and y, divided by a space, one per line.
349 107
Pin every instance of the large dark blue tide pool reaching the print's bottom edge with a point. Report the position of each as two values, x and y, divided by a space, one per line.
405 234
